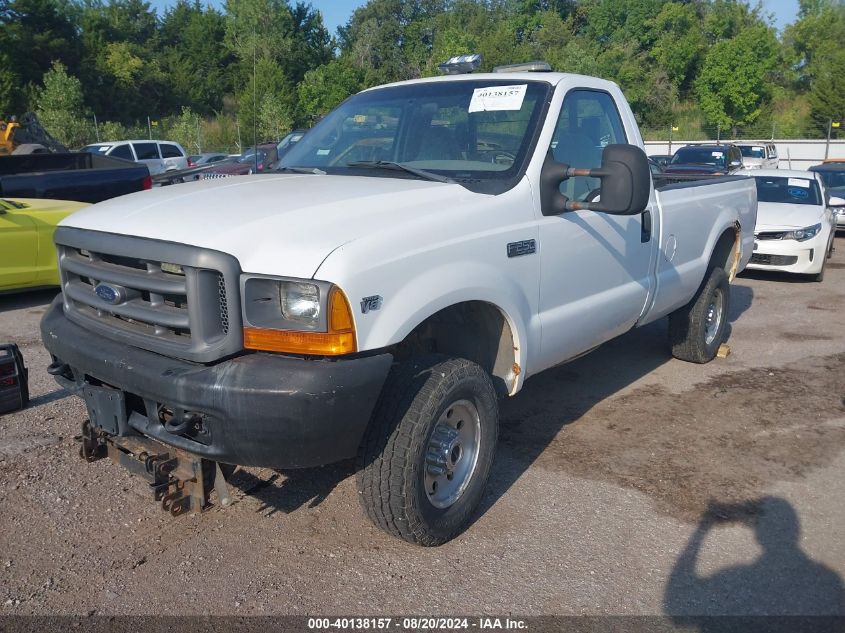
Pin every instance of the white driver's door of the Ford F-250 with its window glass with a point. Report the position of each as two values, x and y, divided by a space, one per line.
594 267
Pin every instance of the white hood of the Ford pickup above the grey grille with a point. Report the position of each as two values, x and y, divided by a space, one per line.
273 224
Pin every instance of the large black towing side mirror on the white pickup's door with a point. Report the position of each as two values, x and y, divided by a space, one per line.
625 183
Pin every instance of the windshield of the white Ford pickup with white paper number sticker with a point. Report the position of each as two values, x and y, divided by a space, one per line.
463 129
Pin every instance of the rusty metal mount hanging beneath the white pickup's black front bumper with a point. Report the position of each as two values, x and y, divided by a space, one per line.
180 480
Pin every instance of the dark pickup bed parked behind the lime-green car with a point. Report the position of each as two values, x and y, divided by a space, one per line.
70 176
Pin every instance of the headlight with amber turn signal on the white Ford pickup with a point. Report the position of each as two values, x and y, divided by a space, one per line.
296 316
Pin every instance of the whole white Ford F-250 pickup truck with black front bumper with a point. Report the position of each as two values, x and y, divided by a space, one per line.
427 247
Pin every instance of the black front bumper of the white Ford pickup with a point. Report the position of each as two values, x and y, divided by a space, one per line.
254 410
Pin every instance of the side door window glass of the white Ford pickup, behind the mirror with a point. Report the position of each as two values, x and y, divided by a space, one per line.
588 122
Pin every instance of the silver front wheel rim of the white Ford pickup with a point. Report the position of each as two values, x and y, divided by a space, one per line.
452 453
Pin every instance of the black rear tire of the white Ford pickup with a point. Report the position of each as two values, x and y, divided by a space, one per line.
688 325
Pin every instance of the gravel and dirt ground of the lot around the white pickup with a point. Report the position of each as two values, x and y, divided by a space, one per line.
598 503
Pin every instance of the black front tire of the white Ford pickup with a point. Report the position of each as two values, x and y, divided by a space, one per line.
392 460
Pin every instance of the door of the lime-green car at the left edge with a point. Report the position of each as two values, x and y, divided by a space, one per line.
18 247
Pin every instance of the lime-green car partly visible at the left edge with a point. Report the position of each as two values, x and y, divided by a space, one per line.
27 253
